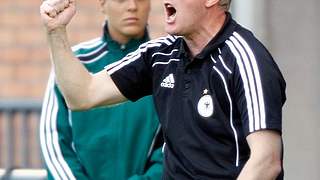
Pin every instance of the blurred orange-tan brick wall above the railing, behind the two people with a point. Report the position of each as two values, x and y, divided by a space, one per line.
24 64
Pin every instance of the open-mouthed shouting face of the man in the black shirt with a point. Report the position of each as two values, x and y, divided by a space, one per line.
182 16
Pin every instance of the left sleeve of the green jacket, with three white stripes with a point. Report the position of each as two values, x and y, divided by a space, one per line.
56 137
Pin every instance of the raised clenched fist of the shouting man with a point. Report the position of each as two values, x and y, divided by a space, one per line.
57 13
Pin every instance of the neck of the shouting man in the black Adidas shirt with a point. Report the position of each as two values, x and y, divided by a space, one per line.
198 40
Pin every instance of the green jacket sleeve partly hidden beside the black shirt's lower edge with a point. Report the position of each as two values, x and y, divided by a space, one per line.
154 166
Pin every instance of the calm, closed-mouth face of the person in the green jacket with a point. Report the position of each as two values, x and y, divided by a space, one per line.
128 17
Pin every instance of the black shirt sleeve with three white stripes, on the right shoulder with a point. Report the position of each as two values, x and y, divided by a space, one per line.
259 87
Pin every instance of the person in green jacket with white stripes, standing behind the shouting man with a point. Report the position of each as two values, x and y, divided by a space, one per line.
118 142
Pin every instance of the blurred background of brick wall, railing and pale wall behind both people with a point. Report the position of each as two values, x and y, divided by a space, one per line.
288 28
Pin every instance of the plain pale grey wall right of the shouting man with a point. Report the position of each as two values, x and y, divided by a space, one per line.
290 30
